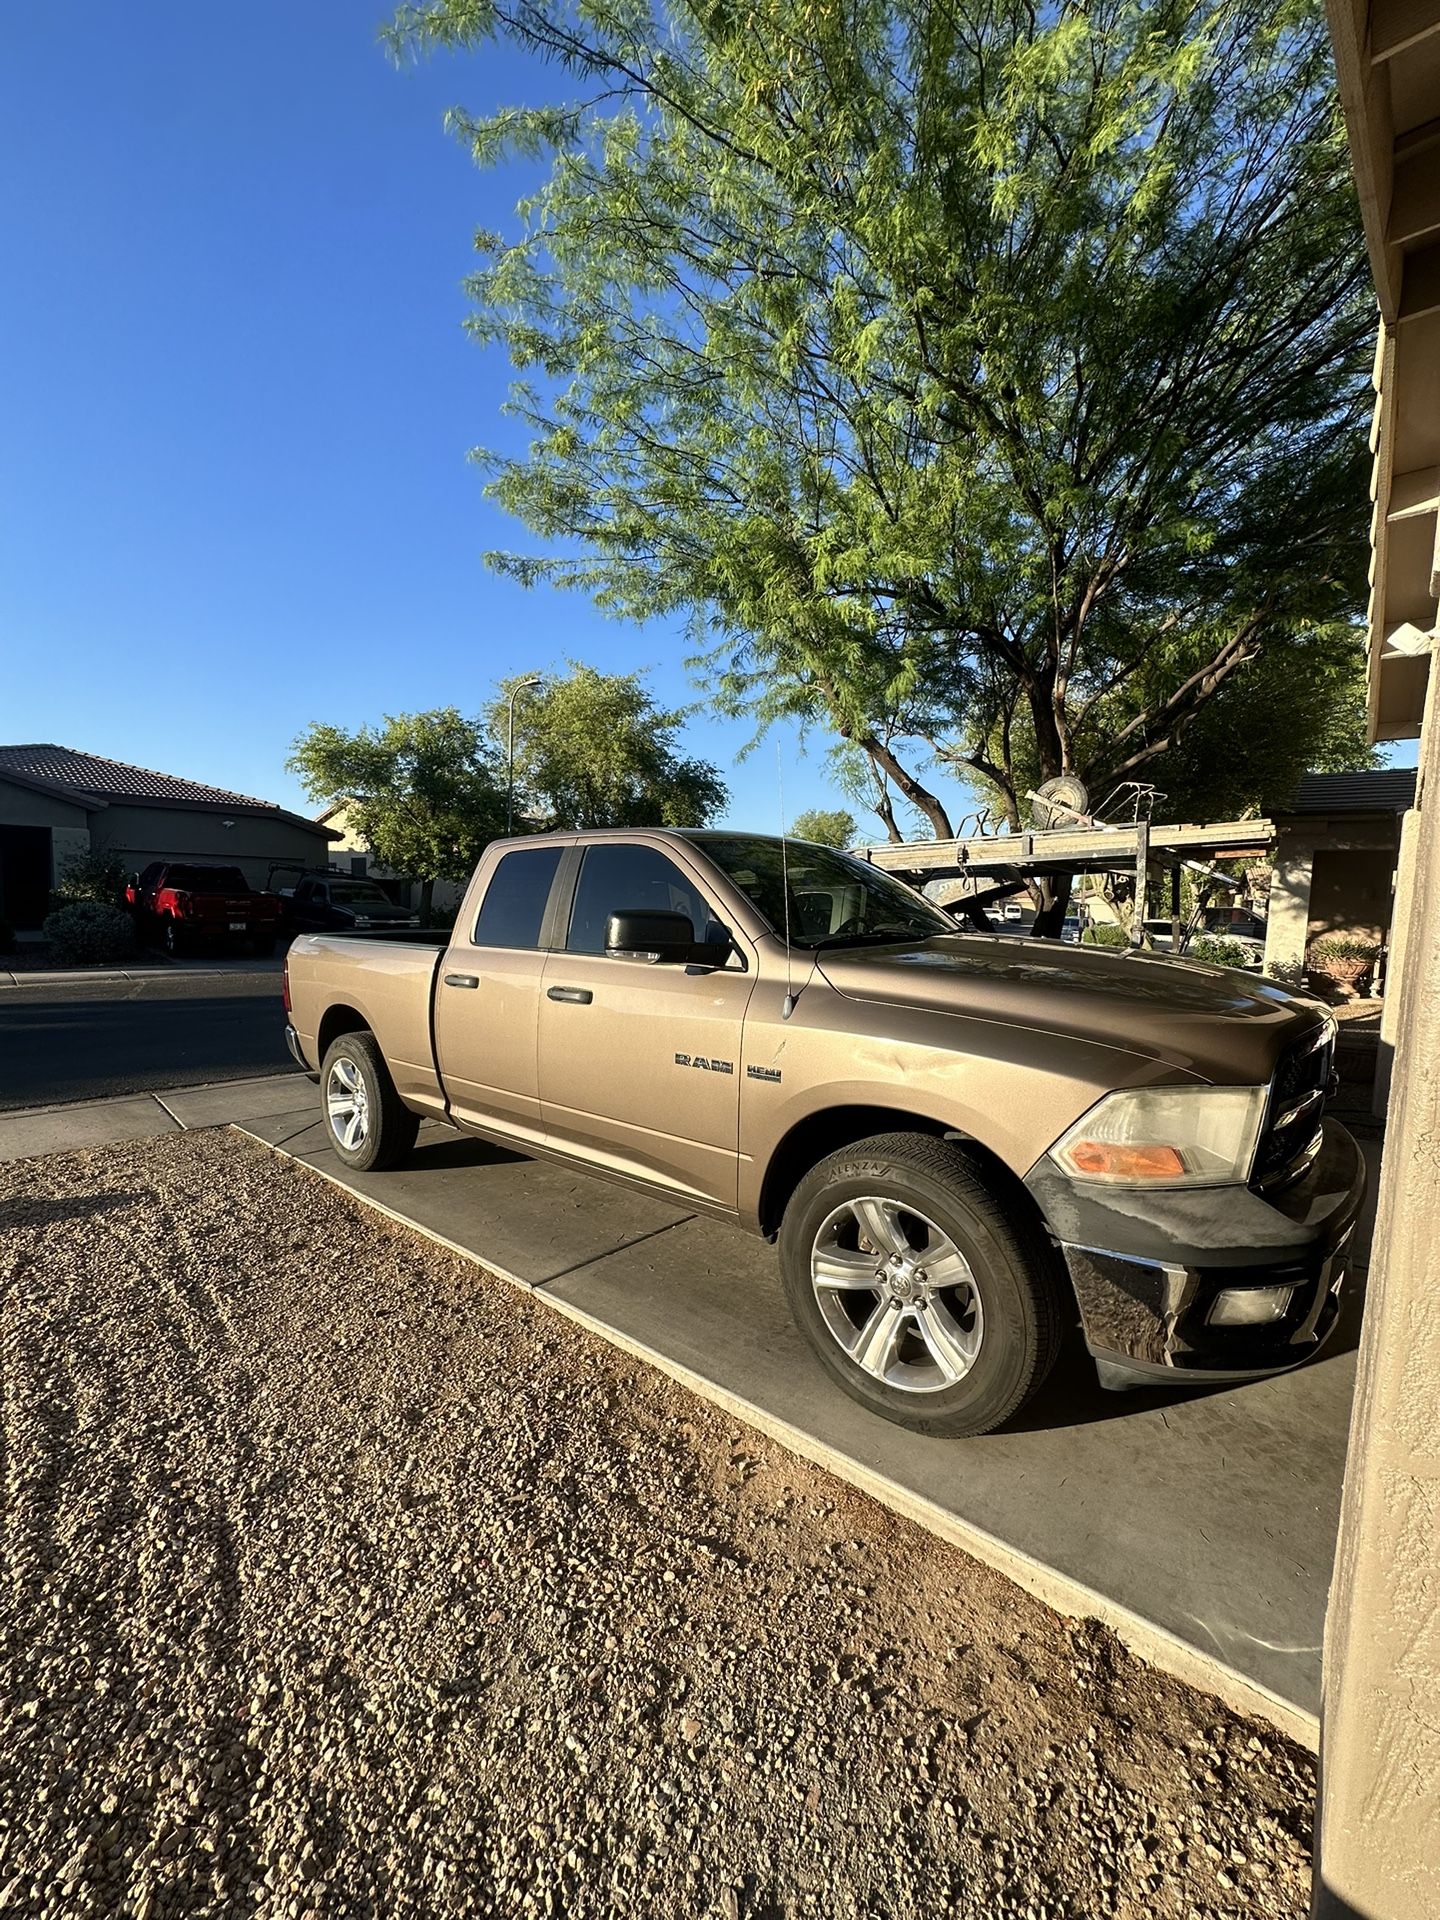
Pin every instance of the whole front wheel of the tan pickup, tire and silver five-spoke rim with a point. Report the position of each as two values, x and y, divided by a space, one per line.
921 1295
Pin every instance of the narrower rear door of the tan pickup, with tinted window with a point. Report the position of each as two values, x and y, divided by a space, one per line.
489 996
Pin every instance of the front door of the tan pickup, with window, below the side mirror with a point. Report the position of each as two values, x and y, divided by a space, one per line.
640 1063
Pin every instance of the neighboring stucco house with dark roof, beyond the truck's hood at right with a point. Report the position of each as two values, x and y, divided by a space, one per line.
1337 846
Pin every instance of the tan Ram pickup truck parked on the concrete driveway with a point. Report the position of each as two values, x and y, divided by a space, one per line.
961 1143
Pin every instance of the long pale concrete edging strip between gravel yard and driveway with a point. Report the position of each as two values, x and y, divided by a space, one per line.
1057 1591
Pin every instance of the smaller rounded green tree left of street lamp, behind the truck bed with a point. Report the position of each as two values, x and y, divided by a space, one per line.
421 790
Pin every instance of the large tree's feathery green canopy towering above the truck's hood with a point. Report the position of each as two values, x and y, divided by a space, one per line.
984 385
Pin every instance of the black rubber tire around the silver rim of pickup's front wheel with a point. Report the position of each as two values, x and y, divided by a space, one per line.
1005 1366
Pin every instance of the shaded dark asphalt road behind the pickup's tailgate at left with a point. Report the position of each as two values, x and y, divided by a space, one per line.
91 1040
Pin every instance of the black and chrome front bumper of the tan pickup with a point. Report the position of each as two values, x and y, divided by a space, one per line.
1149 1268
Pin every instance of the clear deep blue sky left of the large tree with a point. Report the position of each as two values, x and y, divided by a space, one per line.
239 398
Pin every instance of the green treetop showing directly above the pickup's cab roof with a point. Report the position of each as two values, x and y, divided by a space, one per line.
596 752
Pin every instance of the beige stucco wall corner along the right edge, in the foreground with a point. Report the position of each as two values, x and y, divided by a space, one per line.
1380 1831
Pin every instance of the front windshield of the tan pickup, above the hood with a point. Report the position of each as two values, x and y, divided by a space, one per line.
834 900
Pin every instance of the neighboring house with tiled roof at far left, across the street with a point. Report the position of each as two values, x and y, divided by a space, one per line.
59 804
